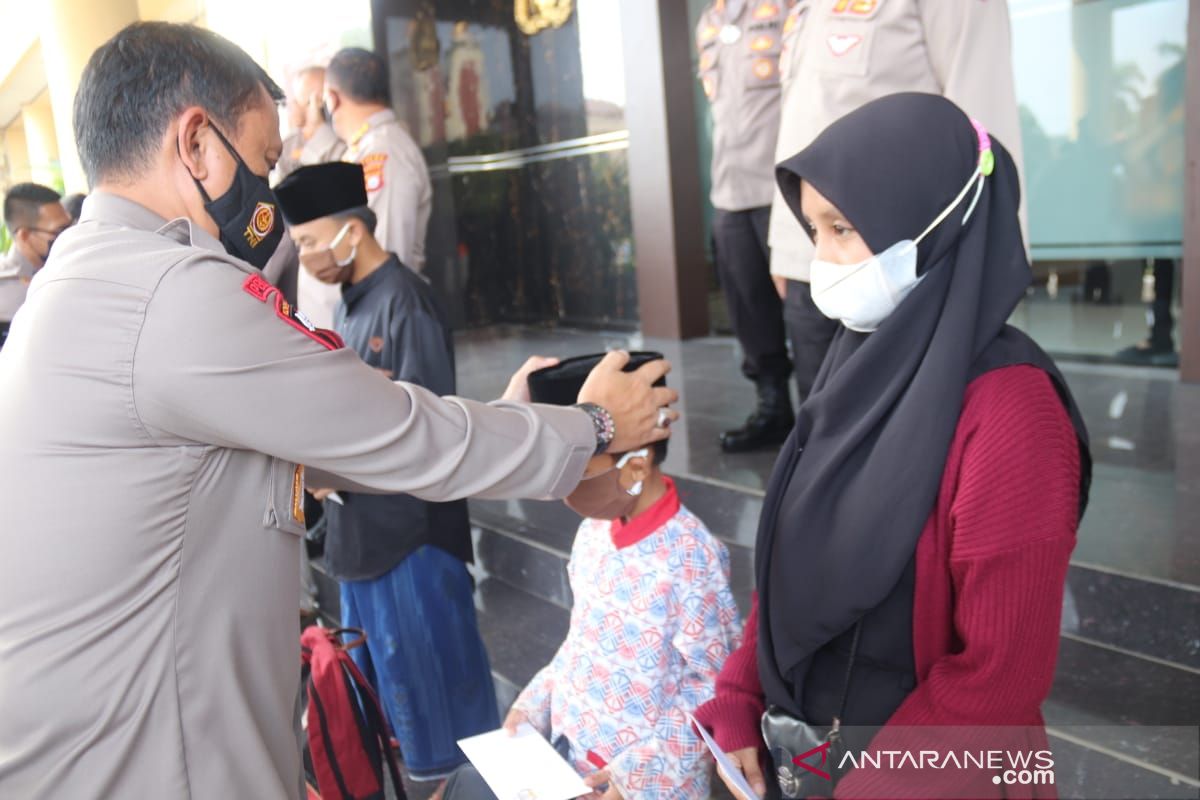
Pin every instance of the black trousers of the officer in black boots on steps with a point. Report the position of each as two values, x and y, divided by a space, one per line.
743 262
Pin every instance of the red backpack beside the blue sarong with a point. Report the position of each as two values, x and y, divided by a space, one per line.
349 733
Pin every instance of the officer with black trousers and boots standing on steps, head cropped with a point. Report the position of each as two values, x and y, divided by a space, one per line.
739 44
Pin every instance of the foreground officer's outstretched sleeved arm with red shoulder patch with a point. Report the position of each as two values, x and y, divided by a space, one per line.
223 360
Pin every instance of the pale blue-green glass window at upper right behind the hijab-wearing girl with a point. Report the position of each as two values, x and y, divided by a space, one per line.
1101 92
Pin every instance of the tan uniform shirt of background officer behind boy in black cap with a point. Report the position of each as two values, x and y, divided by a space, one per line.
399 189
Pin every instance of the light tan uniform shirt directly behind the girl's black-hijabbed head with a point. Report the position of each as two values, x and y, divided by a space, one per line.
842 55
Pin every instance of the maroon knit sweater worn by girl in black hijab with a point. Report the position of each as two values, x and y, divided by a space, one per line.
992 563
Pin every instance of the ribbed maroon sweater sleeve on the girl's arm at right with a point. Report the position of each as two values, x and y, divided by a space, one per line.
1012 520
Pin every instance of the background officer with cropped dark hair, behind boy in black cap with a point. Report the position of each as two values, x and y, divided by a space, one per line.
398 179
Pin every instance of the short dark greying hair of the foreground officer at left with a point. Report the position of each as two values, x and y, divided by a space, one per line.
139 81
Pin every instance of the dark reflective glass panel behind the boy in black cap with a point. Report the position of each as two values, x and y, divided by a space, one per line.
524 130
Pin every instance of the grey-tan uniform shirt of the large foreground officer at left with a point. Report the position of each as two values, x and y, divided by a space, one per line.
159 400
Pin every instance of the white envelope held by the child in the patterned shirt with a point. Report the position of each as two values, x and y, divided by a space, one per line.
524 767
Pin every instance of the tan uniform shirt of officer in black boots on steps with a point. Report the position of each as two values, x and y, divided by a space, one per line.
739 67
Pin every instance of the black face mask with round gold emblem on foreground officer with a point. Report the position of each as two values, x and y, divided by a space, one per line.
247 215
